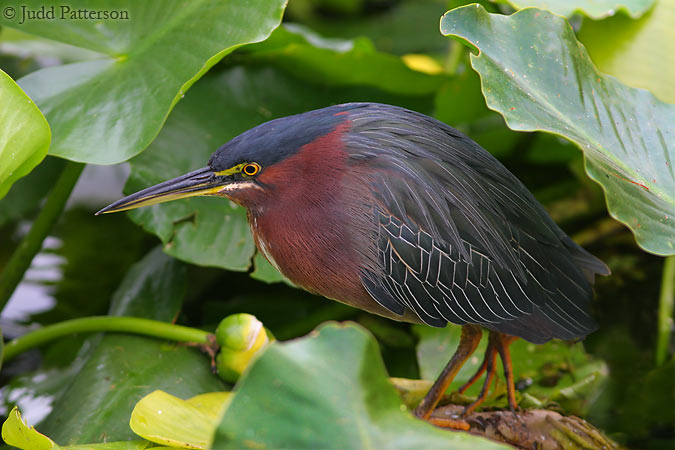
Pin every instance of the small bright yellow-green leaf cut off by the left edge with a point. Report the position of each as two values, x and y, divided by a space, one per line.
24 133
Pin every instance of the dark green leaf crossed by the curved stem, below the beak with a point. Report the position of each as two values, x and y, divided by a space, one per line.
121 369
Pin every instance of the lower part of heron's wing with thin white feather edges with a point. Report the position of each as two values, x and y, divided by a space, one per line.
440 286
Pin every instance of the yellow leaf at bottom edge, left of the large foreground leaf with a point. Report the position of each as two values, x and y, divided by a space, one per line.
167 420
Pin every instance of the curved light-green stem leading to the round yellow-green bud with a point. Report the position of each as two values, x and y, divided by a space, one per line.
145 327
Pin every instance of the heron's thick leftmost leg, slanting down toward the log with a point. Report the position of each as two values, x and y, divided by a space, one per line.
471 335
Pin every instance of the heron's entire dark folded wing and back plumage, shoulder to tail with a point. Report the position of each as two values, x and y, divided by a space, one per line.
460 239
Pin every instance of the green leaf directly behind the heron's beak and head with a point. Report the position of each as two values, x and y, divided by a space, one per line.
213 231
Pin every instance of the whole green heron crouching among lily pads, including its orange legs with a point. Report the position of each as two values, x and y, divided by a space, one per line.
401 215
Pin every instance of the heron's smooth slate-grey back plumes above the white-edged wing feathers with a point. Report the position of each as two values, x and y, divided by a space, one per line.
430 175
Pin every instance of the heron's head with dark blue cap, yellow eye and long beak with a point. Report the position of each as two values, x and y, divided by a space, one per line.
264 160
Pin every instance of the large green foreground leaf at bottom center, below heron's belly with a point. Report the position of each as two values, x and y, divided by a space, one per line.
327 390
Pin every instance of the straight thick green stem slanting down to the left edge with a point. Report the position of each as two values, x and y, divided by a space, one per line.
32 243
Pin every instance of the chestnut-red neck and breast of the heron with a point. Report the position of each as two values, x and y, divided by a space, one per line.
314 220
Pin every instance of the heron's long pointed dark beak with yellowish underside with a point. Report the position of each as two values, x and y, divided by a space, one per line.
200 182
